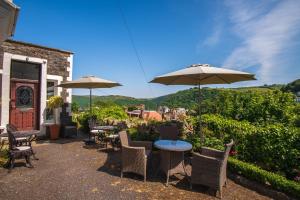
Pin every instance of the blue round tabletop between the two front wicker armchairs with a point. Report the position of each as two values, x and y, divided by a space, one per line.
173 145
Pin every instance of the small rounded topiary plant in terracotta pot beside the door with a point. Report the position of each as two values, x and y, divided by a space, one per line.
53 104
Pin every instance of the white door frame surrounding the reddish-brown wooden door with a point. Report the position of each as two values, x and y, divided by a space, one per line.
7 58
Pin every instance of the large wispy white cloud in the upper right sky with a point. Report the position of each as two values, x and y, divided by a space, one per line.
267 30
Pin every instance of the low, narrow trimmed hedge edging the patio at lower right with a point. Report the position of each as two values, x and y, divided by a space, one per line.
255 173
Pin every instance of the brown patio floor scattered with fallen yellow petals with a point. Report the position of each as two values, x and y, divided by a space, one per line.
68 170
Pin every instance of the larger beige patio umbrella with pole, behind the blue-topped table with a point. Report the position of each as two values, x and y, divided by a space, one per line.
202 74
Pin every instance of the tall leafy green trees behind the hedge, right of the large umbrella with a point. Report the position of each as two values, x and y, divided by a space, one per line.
256 106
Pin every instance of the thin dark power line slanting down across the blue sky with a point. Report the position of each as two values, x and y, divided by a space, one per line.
134 46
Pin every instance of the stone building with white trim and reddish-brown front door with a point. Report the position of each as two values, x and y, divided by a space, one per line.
28 75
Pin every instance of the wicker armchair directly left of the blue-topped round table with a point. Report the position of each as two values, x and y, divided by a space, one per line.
135 155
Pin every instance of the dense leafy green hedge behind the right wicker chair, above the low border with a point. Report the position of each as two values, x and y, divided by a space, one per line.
273 147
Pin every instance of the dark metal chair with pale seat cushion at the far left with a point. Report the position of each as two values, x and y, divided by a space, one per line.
16 152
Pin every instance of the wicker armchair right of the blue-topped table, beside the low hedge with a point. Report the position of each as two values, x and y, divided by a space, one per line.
209 168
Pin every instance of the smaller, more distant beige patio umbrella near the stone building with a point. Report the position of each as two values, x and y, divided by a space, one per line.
89 82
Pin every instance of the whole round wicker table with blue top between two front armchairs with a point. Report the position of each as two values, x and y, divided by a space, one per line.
172 156
